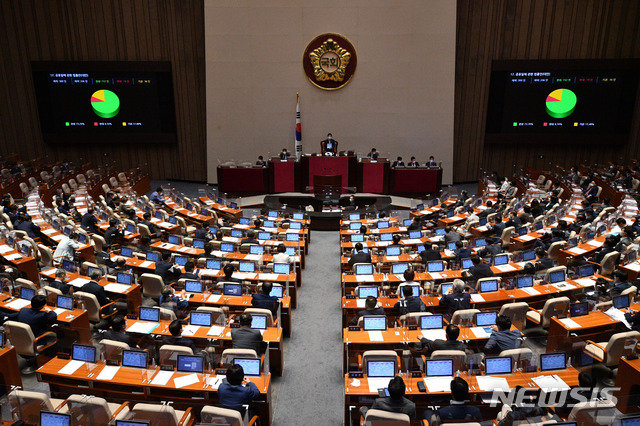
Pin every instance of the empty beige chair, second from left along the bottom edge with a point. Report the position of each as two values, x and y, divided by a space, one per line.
87 409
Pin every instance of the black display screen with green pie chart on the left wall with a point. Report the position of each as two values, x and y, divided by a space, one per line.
121 102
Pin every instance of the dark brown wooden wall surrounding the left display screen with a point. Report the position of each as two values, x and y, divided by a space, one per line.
96 30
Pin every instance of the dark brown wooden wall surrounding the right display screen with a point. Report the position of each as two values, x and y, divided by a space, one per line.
534 29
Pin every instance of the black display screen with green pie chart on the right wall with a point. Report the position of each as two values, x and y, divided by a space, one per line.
555 101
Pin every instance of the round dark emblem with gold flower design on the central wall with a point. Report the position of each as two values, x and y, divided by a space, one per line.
329 61
